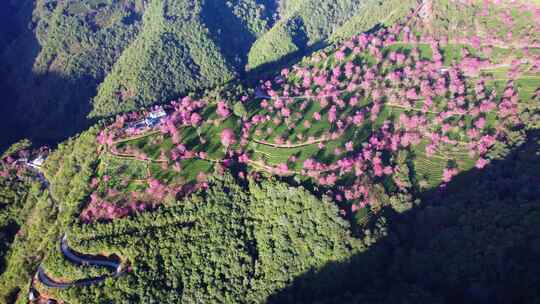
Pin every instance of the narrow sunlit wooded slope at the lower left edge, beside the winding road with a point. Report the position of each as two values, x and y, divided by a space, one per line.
46 211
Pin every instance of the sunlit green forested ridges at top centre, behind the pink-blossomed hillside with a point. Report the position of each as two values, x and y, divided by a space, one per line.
186 45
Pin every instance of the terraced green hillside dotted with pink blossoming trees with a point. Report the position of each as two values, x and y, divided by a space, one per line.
393 110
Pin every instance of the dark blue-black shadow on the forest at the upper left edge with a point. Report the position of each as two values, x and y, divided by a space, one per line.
46 108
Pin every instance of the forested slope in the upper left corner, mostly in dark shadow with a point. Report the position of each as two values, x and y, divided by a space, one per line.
52 68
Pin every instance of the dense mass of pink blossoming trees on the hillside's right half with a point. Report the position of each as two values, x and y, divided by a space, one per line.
415 87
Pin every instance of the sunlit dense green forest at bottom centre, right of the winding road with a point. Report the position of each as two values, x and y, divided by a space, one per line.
228 244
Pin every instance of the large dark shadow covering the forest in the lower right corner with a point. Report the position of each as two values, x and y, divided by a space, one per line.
477 241
